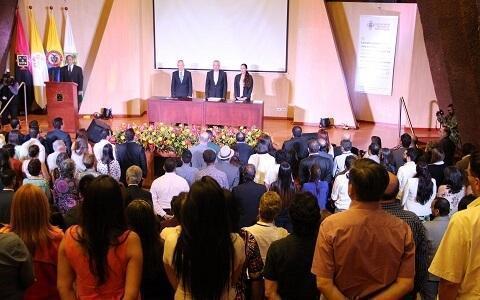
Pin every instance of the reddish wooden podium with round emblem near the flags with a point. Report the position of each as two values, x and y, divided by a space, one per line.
62 101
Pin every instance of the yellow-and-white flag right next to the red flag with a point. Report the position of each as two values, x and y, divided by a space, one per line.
39 62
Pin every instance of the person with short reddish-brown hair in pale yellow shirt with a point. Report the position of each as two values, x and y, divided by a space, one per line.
265 231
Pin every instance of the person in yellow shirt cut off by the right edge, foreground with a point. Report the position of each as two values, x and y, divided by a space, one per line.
457 257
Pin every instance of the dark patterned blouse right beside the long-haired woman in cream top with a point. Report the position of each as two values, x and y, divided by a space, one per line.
253 266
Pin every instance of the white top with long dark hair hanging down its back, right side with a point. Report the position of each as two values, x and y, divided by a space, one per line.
409 198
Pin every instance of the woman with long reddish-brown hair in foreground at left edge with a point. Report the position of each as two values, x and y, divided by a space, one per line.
30 221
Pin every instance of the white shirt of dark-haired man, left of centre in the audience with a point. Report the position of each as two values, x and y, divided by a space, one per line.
164 188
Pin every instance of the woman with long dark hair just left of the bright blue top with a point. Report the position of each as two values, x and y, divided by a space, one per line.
285 187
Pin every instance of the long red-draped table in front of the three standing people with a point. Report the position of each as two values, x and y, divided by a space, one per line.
201 112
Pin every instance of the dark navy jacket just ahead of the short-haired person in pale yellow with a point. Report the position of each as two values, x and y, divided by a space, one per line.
247 199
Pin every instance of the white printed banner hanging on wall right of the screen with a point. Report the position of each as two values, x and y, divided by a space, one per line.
376 54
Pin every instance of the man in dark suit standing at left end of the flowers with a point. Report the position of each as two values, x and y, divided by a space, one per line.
131 154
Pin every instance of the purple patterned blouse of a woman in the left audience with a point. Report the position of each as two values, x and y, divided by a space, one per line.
65 194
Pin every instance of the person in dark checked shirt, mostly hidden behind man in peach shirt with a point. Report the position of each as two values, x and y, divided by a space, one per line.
393 206
